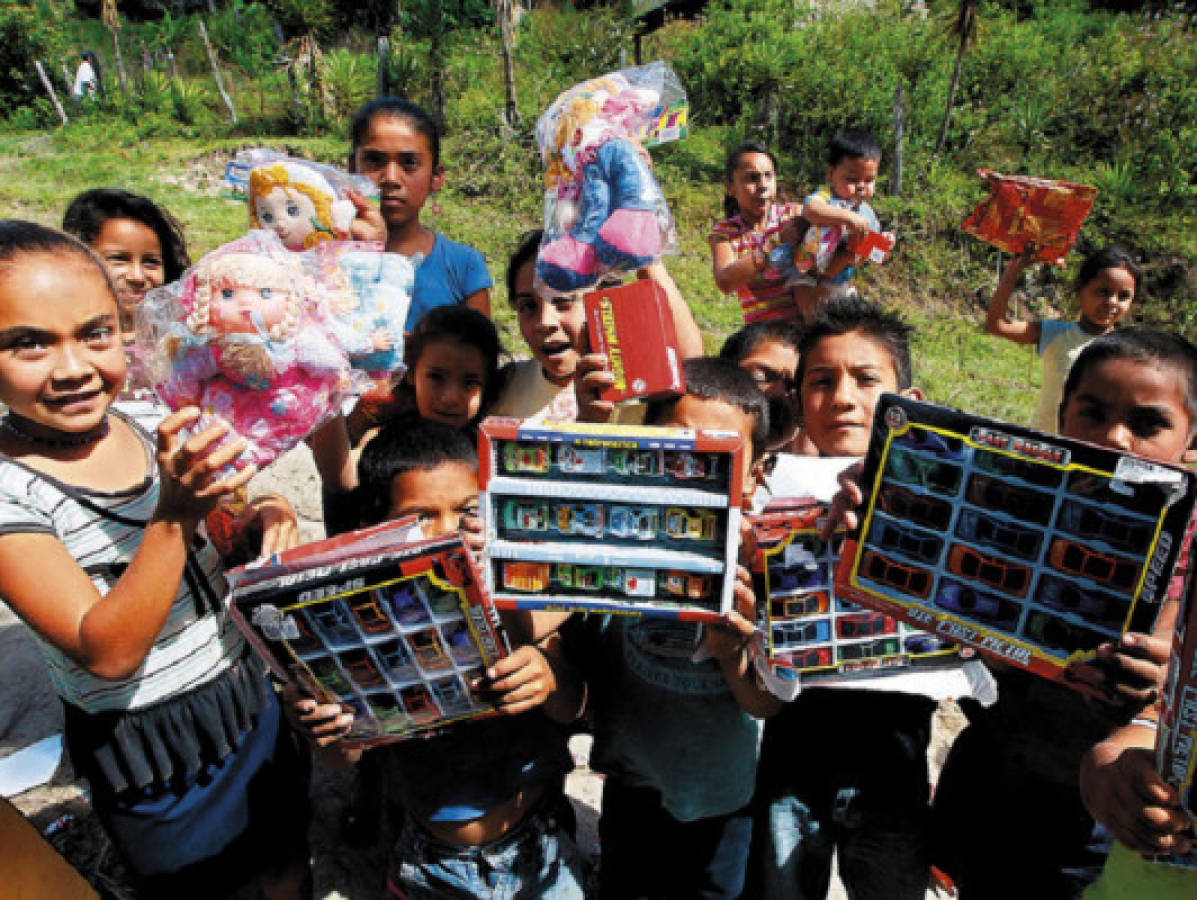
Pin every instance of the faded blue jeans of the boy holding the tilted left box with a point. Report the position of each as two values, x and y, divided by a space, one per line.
538 859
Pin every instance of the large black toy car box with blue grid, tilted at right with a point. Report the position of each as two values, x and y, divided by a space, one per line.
1031 548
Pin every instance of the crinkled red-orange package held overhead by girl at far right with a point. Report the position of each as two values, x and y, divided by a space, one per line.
1031 215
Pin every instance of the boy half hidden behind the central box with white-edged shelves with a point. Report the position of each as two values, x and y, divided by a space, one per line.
677 739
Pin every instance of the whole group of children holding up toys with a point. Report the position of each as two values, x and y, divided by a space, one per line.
199 773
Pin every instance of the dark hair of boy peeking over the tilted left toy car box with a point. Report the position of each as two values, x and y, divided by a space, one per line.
403 446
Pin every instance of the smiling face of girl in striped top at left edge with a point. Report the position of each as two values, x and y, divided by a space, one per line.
62 360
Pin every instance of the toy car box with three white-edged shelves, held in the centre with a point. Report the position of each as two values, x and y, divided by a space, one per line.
611 519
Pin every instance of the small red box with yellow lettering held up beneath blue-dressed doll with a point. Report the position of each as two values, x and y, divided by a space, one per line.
633 325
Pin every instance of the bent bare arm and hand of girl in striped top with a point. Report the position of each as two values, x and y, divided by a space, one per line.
111 635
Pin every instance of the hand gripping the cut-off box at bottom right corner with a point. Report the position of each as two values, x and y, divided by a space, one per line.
1122 790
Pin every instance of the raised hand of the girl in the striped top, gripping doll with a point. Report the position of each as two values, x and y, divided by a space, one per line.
191 484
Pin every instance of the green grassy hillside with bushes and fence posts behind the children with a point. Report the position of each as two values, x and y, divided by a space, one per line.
1060 89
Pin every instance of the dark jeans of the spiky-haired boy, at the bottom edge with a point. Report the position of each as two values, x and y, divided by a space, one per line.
880 858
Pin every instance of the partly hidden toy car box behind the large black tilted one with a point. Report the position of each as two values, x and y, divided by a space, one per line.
809 634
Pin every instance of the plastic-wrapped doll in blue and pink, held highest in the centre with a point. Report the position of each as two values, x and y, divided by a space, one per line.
604 210
